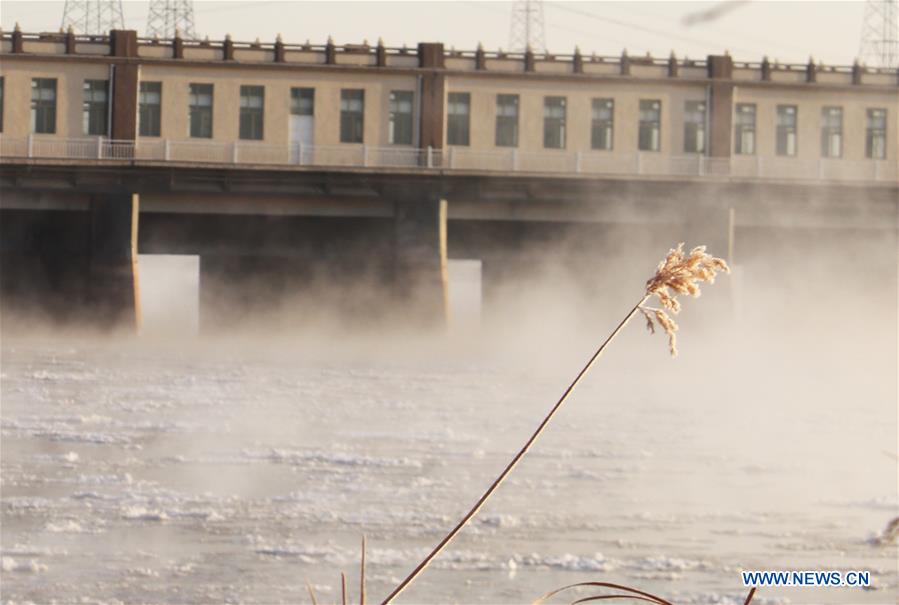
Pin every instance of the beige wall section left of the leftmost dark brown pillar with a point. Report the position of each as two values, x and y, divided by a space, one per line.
69 94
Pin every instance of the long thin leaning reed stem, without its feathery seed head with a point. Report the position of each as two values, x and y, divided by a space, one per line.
499 480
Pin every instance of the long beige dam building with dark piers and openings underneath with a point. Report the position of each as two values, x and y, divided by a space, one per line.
284 166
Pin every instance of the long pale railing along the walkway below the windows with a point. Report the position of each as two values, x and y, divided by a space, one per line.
508 160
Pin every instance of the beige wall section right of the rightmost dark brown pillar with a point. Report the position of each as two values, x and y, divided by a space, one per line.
809 102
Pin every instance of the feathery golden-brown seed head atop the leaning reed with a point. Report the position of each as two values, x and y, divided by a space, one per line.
678 273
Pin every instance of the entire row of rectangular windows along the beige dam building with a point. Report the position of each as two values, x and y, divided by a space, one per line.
401 129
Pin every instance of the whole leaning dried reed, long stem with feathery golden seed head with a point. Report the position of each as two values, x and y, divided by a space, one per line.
676 272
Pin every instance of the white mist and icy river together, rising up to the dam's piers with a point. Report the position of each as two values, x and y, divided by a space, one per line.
176 468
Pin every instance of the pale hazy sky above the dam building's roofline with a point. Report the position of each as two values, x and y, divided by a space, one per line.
788 31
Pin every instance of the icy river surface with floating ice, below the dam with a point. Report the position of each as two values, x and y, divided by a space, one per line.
200 473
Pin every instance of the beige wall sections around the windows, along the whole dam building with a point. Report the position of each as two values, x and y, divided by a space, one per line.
627 93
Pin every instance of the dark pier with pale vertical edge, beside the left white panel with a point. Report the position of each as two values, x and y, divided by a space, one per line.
113 282
